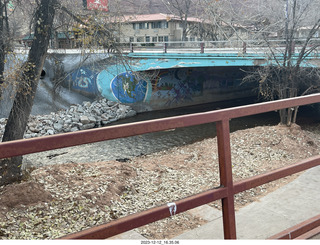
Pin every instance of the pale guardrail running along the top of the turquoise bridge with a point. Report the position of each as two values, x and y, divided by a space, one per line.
228 46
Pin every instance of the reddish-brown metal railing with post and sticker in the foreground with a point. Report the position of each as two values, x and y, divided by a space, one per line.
227 188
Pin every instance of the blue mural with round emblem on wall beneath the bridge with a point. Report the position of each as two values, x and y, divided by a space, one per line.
160 89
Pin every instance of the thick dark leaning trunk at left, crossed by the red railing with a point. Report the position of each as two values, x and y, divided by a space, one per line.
10 169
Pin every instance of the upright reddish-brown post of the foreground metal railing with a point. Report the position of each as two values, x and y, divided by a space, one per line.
225 168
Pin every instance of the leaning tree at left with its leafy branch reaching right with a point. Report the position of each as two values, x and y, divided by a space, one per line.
28 79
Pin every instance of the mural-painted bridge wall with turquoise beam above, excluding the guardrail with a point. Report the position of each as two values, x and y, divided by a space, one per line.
157 83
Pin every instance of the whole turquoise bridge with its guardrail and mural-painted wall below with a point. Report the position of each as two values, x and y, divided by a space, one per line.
152 76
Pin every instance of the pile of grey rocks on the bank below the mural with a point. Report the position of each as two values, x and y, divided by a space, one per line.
77 117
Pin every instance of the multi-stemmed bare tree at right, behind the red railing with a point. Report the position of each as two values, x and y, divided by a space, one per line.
287 77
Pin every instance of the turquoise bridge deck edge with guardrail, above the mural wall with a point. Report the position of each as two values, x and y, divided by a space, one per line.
213 54
